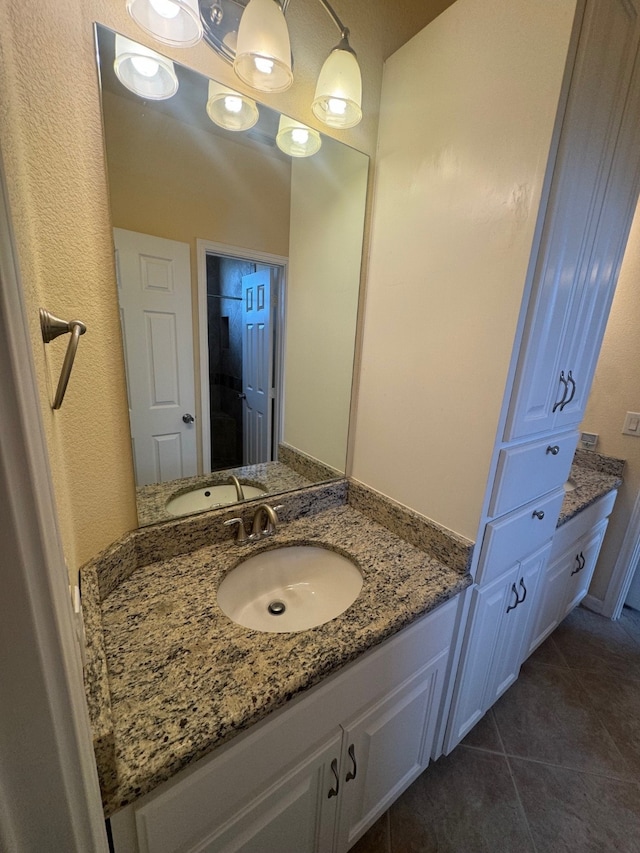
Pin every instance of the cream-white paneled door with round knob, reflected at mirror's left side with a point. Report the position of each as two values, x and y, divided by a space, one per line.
154 289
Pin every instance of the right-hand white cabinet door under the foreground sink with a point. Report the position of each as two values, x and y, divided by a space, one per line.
386 748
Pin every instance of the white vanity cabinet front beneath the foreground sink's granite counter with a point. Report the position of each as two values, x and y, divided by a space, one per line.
316 774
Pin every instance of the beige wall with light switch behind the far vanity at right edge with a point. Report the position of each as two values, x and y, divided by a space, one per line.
615 391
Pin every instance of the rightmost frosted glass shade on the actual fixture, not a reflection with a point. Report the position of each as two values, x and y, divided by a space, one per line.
338 98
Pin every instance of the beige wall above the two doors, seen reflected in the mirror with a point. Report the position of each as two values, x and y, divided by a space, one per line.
177 181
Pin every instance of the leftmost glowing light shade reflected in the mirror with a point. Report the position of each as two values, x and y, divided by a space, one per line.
143 71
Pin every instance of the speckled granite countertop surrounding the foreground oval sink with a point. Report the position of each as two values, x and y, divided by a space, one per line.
184 678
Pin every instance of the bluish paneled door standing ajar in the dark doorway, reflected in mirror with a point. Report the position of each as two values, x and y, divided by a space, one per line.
257 365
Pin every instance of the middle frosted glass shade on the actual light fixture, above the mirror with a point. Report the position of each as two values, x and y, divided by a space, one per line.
263 52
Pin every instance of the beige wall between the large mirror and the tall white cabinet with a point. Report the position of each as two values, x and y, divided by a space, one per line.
467 113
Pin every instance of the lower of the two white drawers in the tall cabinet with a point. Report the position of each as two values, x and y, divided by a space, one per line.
515 536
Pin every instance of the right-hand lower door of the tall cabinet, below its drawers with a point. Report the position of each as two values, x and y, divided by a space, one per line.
520 600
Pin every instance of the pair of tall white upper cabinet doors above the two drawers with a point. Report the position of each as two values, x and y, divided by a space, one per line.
580 252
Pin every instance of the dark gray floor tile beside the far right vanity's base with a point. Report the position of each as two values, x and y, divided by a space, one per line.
592 643
